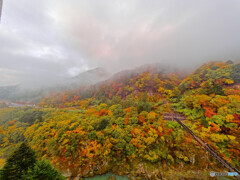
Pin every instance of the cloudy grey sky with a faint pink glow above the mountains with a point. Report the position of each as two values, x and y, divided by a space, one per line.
49 40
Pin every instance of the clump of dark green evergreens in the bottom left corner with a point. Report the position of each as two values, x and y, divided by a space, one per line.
22 164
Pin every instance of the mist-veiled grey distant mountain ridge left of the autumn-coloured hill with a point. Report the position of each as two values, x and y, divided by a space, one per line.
33 89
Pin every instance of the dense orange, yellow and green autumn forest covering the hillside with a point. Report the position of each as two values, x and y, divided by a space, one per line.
118 125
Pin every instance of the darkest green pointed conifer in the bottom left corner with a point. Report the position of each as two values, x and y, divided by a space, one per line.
18 163
